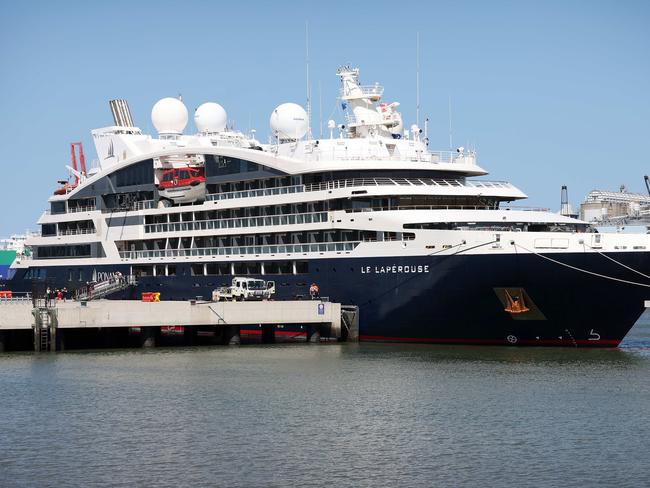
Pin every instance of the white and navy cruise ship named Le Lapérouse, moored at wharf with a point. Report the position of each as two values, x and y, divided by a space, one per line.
426 247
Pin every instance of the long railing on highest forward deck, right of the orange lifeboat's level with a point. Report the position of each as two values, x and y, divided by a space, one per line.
357 182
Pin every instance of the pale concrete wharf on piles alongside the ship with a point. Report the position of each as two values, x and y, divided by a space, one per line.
53 325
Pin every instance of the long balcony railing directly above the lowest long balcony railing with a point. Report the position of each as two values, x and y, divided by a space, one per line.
232 223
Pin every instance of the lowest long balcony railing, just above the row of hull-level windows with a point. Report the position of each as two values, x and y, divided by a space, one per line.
320 247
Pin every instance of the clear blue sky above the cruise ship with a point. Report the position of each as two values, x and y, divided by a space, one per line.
550 92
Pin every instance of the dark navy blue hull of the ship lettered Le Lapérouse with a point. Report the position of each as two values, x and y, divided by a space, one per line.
460 299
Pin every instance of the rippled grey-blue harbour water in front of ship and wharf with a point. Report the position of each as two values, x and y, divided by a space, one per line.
328 415
